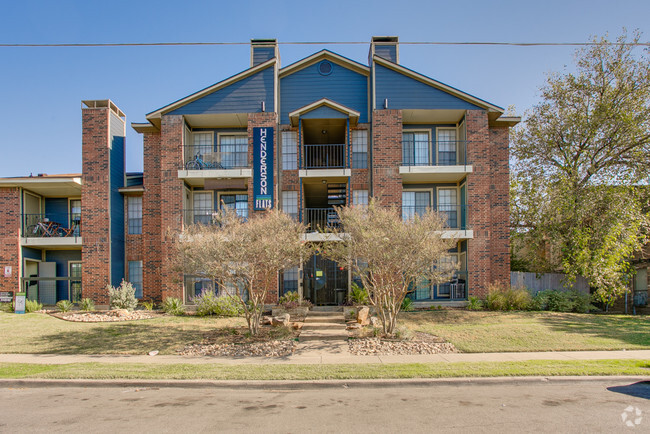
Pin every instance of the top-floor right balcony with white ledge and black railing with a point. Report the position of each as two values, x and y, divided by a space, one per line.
441 161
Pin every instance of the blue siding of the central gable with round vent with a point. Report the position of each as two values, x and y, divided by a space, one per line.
343 86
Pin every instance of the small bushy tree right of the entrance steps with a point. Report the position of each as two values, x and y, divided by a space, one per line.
390 256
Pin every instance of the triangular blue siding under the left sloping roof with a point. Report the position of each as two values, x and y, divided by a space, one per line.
243 96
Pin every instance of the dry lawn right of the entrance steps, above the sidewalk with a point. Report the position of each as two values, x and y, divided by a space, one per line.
476 332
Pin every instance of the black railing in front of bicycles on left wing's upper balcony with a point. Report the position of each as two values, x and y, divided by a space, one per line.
46 225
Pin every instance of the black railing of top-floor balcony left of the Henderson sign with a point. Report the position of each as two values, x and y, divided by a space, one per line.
202 157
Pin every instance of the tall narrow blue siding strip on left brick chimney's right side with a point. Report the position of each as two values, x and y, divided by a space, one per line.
117 210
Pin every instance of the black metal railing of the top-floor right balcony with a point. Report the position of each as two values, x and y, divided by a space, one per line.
440 153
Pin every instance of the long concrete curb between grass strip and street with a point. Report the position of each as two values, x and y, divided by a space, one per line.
311 384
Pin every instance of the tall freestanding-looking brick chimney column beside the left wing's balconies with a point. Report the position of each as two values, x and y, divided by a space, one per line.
95 204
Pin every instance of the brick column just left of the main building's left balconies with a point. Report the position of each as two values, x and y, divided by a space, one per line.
171 201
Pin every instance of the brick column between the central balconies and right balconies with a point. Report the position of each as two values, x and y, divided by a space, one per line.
387 156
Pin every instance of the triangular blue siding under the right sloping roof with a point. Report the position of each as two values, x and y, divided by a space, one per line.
407 93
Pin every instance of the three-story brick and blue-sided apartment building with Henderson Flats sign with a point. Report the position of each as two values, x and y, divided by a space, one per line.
341 132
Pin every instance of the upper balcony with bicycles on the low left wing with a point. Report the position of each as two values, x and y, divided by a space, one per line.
51 230
